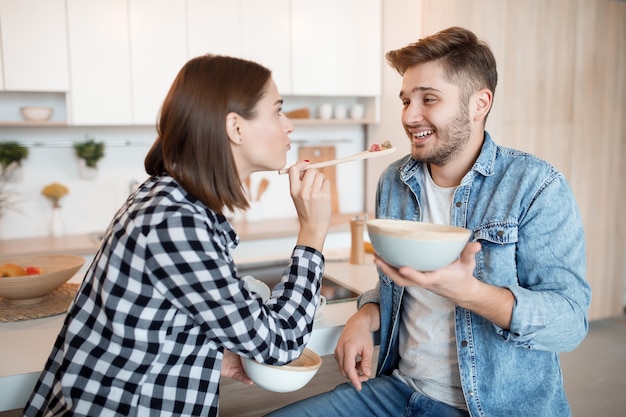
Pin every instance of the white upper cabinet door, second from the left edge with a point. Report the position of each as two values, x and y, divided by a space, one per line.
99 62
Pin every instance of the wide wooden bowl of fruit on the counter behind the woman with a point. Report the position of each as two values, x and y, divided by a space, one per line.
29 279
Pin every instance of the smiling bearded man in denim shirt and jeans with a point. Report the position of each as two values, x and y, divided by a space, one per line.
481 336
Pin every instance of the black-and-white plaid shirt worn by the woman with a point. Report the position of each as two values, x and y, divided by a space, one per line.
161 300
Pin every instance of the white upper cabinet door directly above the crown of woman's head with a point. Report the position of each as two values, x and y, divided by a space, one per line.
214 26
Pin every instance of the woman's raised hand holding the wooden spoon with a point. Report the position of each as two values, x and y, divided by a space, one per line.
310 192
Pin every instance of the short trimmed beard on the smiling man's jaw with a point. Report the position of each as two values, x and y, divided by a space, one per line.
451 140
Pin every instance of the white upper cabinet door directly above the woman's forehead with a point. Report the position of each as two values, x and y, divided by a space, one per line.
265 38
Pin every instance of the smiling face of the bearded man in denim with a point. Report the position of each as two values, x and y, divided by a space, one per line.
433 116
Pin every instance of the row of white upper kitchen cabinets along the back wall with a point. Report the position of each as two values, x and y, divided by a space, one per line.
123 55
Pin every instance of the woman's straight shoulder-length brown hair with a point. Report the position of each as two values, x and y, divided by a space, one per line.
192 145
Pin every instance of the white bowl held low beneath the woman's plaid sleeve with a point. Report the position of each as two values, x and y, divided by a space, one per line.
285 378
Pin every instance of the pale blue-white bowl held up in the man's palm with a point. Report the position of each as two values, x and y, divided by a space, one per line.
422 246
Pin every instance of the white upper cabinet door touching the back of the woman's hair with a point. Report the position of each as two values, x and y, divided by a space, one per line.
158 46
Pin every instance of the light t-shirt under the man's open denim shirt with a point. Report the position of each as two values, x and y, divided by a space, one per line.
428 355
